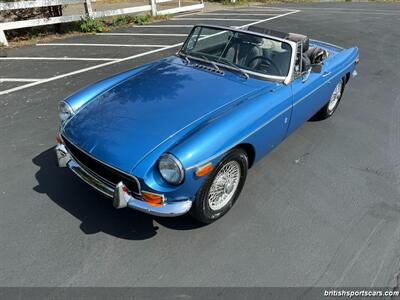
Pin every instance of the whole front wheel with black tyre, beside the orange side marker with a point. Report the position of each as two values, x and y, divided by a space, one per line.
222 188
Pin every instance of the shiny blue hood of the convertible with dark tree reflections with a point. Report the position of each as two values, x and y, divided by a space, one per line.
122 125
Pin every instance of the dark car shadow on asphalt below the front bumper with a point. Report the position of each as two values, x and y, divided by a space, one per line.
94 210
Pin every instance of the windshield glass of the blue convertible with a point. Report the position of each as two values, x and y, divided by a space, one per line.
246 51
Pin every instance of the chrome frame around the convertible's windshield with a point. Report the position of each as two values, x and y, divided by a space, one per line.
285 79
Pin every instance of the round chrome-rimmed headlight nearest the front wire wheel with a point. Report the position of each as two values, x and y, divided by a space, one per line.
171 169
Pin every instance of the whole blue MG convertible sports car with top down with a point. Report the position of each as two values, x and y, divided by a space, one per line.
178 135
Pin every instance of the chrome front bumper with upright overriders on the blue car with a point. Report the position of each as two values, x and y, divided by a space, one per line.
119 194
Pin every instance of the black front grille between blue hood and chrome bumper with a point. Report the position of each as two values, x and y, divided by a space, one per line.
103 172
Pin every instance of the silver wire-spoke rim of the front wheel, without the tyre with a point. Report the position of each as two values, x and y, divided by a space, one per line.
224 186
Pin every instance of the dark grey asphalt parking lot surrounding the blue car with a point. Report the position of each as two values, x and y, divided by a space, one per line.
321 210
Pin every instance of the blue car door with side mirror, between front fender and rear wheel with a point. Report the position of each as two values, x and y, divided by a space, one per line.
310 94
